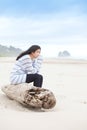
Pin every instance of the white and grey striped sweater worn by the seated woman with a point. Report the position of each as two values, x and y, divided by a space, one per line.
23 66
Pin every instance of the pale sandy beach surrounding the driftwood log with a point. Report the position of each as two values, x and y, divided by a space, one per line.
67 79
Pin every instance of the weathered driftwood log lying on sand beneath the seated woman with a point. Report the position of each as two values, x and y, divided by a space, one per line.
30 95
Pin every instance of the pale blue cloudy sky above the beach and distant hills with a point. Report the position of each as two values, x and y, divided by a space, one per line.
55 25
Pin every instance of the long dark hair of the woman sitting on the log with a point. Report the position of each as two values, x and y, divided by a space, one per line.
33 48
